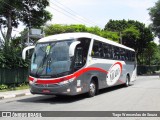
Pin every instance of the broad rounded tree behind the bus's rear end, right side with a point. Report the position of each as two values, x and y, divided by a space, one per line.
133 33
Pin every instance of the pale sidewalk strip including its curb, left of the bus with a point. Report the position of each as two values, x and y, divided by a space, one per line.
13 94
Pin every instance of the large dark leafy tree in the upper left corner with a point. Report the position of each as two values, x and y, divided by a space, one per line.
31 12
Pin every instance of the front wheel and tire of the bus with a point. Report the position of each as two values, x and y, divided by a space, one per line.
92 89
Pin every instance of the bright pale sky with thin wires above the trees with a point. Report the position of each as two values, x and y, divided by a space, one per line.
98 12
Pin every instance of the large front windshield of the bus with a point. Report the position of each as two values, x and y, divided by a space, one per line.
51 59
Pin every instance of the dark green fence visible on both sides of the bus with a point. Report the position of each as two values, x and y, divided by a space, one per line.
20 75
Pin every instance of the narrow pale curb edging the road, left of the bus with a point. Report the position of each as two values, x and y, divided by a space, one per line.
14 95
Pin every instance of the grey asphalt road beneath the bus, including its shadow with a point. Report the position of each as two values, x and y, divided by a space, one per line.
144 95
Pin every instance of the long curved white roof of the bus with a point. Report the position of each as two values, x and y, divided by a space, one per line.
76 35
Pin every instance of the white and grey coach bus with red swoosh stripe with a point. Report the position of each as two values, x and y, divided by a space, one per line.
76 63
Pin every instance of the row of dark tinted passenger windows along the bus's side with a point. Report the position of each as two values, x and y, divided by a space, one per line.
107 51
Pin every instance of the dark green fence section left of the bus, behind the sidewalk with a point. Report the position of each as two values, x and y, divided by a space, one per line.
13 76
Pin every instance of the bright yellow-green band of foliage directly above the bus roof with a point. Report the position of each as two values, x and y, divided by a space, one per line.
58 28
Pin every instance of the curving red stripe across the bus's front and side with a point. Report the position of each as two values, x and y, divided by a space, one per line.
76 75
